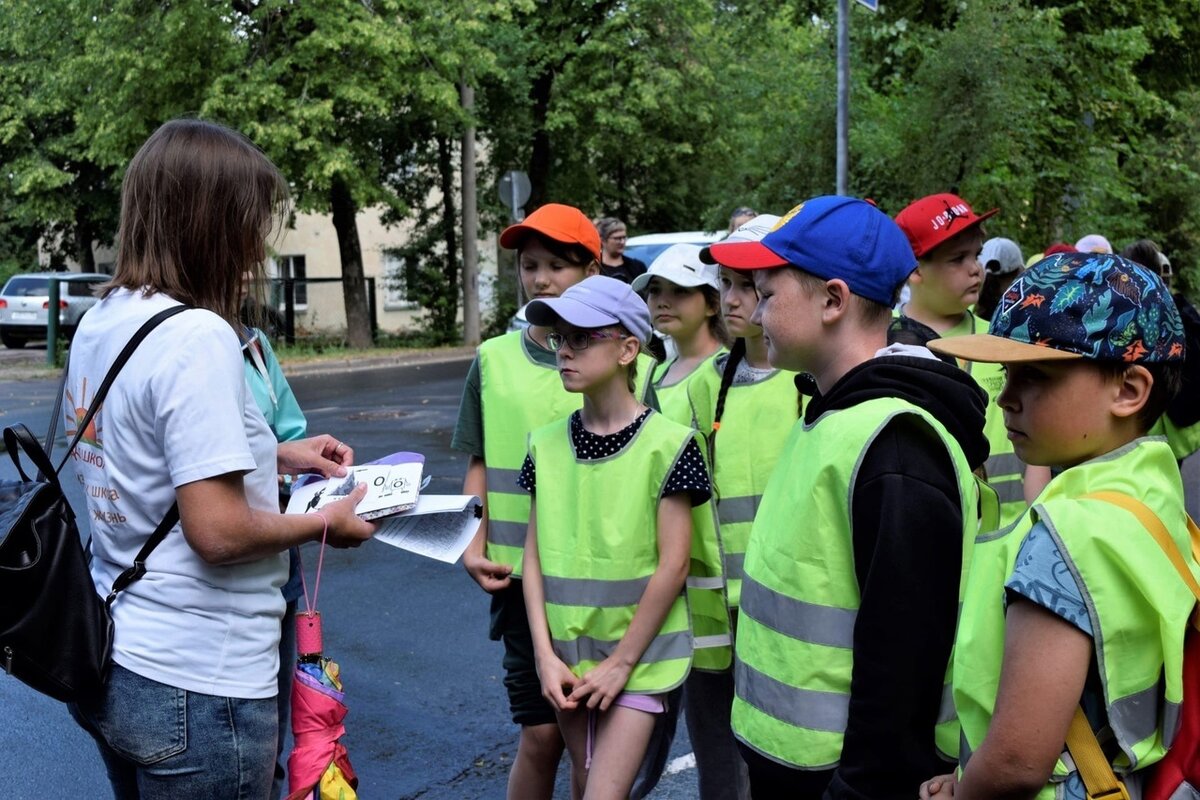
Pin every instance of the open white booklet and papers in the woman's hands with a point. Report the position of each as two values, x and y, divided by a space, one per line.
435 526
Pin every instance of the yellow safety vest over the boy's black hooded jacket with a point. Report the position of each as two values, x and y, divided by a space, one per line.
795 657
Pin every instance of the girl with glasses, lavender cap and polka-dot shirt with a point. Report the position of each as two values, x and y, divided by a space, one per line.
617 492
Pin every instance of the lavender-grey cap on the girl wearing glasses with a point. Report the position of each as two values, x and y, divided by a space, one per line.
598 302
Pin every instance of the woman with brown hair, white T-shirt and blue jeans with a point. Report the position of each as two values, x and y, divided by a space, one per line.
189 709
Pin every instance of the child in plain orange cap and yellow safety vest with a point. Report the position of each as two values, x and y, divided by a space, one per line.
513 388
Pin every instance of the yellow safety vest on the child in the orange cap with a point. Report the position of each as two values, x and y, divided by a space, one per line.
519 394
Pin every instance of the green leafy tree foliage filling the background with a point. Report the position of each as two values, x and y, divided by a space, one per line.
1071 117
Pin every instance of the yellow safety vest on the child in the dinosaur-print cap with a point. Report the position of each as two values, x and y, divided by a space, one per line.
1138 617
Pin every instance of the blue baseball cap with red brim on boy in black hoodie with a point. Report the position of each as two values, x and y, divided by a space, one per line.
832 238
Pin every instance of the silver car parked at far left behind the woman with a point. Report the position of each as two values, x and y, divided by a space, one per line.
26 304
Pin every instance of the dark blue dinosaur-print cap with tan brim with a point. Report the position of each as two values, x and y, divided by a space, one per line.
1095 306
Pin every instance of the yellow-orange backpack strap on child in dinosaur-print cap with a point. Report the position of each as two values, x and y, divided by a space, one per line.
1094 767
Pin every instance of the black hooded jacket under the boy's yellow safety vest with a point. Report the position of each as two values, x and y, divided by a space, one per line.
908 539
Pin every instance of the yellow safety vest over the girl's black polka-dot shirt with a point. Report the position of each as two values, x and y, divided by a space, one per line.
598 549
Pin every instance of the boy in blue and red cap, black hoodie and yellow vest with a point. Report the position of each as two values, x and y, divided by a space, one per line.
853 573
